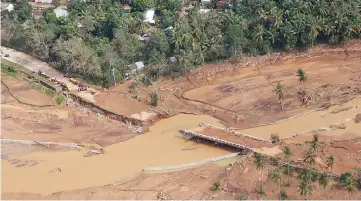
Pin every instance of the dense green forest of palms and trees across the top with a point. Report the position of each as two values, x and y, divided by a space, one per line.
97 37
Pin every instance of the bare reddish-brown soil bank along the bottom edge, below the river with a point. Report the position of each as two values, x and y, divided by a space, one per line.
239 179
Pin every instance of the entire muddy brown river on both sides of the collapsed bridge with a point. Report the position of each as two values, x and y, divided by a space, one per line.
161 146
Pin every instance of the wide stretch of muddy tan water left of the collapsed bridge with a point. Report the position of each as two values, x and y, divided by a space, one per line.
161 146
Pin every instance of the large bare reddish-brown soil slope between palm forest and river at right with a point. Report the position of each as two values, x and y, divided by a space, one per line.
240 92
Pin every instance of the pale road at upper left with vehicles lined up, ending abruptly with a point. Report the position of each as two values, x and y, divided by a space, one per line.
31 63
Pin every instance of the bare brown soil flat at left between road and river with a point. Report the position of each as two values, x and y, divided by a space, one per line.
55 123
